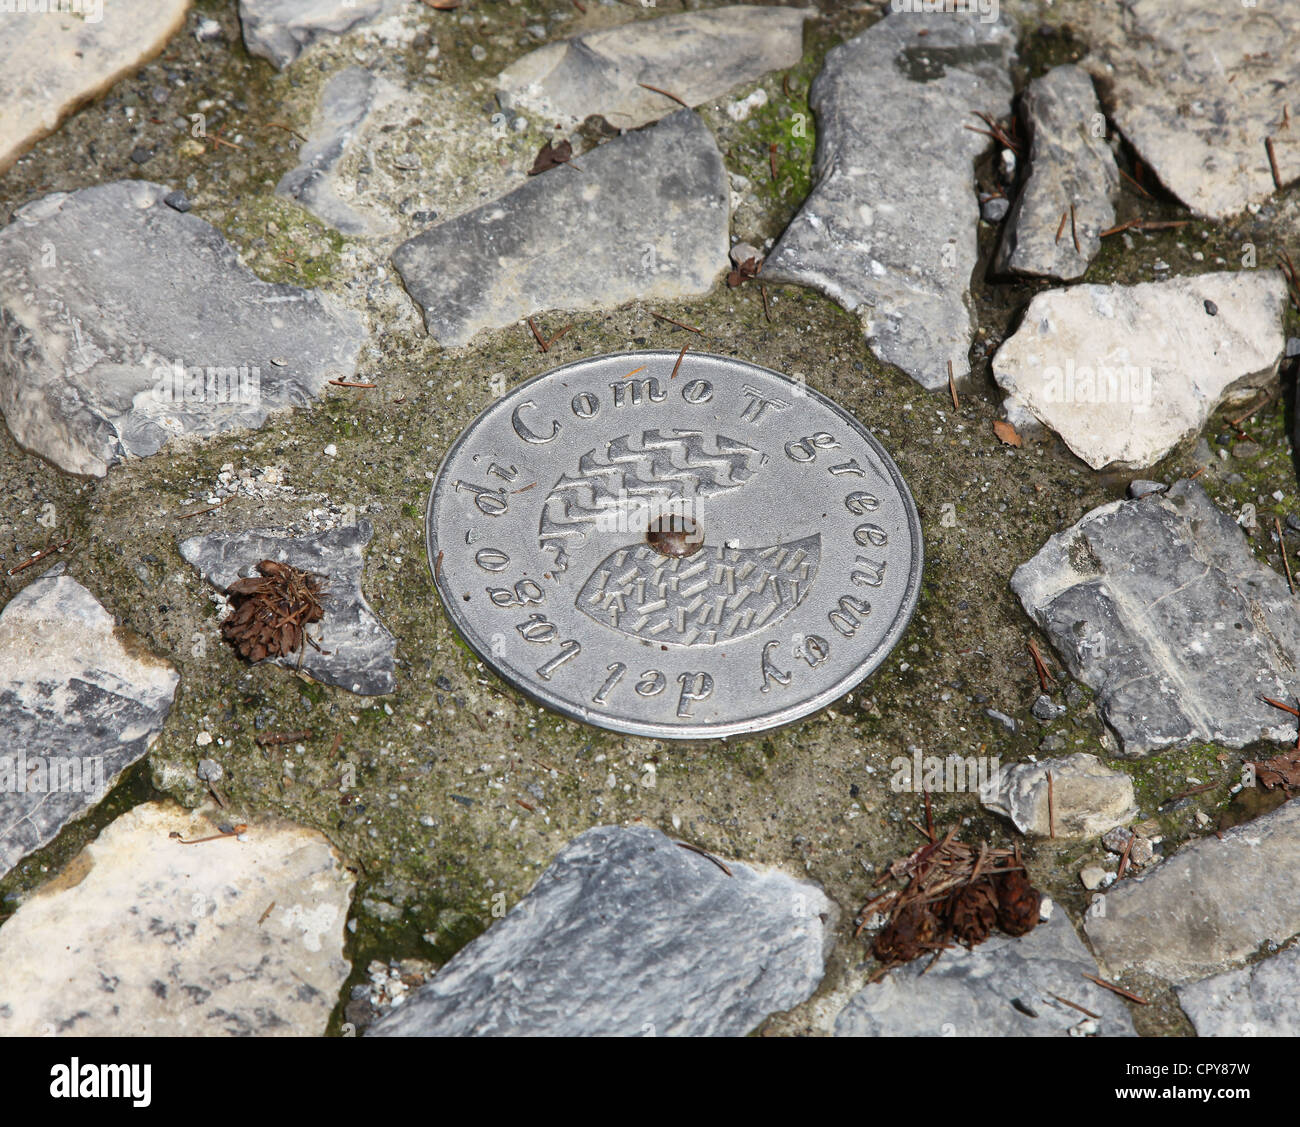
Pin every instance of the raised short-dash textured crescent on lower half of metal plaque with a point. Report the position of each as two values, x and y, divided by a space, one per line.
718 595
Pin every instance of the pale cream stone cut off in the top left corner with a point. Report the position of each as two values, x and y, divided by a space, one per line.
54 62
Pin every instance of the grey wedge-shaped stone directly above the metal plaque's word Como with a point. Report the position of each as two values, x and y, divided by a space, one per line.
647 216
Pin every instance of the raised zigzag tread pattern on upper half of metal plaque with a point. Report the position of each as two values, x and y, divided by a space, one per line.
658 469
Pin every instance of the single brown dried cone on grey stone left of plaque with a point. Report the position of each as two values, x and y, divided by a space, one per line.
272 612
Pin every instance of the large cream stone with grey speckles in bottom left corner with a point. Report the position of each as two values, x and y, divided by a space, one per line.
145 937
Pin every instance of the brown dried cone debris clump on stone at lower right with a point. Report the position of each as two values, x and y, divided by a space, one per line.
954 892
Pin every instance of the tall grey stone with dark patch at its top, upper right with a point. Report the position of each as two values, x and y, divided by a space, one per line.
890 231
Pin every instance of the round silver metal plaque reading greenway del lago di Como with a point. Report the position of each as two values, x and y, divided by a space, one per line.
674 551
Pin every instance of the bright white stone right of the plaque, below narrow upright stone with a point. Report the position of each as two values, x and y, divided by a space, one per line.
1124 374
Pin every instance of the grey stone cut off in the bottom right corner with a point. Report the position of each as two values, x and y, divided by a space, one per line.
1259 1002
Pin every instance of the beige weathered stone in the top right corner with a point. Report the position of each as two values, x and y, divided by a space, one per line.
1198 92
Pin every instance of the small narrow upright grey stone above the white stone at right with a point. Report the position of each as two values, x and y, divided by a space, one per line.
1069 166
